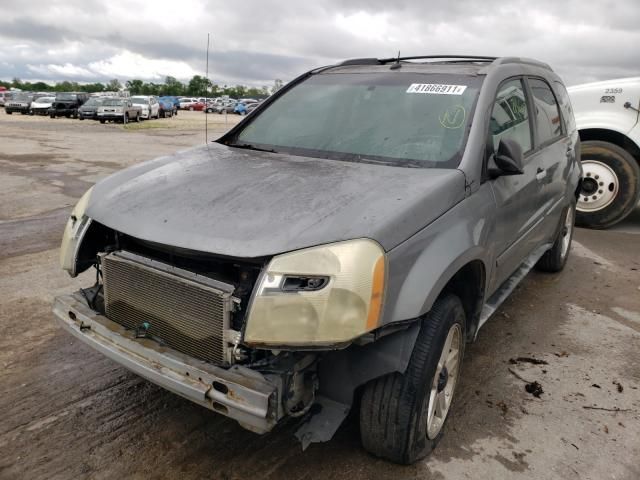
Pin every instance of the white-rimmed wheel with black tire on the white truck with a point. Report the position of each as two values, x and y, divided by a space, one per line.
610 185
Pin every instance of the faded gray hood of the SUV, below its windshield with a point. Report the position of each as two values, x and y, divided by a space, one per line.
245 203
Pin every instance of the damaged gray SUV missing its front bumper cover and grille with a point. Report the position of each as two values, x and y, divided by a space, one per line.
339 245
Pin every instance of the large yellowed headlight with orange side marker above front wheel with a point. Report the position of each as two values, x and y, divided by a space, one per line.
318 296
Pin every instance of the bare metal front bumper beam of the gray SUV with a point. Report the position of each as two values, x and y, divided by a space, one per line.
239 393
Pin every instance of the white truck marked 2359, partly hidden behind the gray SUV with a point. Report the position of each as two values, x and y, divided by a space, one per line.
607 115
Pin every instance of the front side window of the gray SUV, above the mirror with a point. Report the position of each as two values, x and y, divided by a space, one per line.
510 116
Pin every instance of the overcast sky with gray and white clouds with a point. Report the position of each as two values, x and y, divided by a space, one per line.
257 41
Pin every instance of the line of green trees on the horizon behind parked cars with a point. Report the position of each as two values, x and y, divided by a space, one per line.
197 86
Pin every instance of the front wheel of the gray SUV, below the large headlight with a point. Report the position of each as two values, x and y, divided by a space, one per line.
402 415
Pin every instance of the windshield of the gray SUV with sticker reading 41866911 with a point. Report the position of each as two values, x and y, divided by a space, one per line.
400 118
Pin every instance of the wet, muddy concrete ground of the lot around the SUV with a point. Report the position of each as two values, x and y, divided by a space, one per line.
68 412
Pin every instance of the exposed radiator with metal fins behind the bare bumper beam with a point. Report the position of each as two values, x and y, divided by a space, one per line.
180 309
